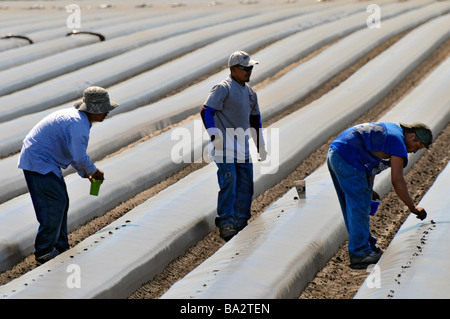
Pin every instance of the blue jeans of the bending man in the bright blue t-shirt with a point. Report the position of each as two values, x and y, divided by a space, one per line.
354 191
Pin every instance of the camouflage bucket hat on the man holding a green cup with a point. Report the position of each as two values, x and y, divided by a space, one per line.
95 100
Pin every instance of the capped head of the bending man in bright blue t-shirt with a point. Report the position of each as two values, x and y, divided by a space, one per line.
417 136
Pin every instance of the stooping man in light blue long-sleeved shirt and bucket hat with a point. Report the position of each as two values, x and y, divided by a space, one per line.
57 141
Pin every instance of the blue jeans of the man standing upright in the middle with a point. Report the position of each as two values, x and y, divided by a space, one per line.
235 195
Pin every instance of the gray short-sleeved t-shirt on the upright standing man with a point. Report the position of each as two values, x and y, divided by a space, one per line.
234 104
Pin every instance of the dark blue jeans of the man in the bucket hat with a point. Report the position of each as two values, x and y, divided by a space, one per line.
51 203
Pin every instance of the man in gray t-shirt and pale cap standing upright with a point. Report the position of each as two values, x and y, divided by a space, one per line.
231 116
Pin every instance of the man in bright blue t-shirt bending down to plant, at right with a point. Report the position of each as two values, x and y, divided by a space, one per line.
354 158
